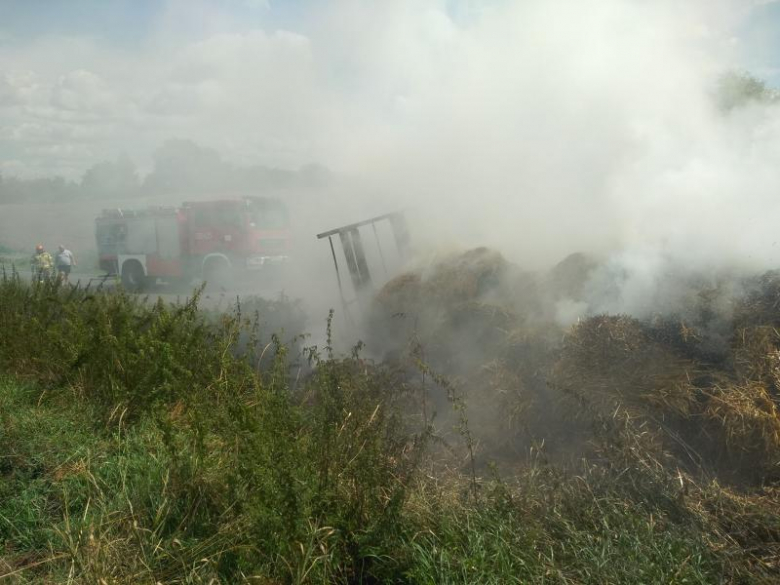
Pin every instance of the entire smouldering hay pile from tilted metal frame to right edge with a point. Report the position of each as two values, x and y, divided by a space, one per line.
702 388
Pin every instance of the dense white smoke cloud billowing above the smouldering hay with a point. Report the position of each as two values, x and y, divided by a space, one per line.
554 126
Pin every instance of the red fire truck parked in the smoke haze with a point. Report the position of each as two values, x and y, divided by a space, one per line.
217 241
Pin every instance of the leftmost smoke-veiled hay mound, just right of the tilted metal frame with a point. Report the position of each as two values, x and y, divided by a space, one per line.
470 313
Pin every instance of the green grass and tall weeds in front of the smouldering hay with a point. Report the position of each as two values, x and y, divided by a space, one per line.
150 444
